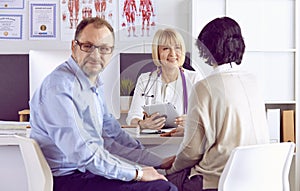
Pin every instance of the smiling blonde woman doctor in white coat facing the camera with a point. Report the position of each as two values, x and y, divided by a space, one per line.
168 83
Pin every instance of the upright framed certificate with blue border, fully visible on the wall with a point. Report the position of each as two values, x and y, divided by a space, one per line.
42 20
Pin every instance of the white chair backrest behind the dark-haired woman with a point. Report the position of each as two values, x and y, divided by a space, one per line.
258 167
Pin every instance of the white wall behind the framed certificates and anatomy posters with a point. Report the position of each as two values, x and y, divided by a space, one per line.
171 13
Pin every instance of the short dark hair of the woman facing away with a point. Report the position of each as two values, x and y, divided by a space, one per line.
221 42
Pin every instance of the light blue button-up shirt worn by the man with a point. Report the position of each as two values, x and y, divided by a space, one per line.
71 123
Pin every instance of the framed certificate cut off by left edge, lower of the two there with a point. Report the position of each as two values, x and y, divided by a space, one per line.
11 27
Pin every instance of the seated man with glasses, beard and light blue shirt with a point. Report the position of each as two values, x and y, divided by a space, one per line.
79 138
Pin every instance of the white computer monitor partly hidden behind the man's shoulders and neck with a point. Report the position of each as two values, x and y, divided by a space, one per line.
42 62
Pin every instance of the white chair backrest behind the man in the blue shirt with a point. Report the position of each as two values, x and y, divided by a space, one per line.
23 165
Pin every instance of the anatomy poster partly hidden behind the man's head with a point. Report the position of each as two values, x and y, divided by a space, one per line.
73 11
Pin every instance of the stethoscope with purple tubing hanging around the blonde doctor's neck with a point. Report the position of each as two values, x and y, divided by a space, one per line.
148 87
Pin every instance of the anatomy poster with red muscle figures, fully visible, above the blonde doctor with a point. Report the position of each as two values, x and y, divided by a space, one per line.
137 19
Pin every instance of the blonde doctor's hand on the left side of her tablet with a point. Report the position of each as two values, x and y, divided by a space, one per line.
154 121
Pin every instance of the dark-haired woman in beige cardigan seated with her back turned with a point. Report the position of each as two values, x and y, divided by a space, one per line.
226 110
